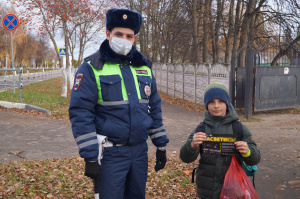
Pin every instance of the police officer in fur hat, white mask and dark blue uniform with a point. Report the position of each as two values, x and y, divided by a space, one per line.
115 96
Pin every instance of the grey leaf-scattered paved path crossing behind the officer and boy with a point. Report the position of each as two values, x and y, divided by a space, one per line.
277 137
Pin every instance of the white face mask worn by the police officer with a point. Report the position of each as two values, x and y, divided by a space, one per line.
120 46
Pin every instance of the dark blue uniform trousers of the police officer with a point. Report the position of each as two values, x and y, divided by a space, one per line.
124 172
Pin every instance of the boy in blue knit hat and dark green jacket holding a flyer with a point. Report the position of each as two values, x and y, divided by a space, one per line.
218 120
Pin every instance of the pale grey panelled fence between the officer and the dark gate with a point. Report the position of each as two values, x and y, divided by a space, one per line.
188 81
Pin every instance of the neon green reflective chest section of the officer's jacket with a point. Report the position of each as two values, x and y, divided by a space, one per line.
111 82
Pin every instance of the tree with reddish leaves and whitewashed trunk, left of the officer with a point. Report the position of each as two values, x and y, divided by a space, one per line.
52 17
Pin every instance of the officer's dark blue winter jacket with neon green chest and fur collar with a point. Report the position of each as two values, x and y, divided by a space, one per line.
101 108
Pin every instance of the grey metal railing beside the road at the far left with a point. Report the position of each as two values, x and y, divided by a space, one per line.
18 77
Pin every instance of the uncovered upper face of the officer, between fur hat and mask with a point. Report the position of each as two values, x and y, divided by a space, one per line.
123 33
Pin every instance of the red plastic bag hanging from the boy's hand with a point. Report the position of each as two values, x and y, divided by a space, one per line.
236 183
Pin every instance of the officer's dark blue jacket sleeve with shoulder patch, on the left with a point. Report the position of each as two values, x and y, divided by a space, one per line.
82 112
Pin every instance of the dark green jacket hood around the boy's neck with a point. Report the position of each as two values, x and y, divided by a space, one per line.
231 116
